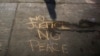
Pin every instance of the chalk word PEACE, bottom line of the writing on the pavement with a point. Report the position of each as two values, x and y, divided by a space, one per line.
48 47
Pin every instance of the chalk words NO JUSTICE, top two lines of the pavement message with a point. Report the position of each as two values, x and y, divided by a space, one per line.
42 23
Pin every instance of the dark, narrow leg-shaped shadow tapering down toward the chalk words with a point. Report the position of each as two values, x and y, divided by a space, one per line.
51 4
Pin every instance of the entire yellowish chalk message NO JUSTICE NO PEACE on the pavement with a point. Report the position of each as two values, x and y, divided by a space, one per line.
40 23
